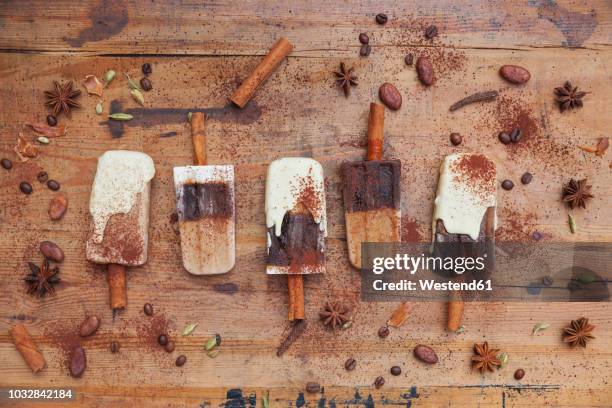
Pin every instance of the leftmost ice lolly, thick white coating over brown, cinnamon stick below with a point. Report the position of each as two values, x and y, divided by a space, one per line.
119 206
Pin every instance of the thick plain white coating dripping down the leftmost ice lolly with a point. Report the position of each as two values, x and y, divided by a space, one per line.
120 176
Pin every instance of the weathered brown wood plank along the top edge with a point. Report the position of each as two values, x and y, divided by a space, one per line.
317 28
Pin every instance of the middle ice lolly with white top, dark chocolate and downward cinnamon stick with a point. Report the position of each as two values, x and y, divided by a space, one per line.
296 223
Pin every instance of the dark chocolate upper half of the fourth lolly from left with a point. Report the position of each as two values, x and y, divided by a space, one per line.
370 185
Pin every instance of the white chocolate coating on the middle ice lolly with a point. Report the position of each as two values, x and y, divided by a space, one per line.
287 180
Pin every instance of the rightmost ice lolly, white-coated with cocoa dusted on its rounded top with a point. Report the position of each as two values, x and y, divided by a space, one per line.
465 214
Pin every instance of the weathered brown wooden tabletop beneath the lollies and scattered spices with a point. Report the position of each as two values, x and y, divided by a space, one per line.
200 52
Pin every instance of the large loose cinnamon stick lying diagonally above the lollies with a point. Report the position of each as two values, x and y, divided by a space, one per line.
264 69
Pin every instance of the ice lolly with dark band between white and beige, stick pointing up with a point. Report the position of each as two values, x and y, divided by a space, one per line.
205 206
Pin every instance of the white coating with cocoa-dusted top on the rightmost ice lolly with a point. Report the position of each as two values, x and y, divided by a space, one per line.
461 202
